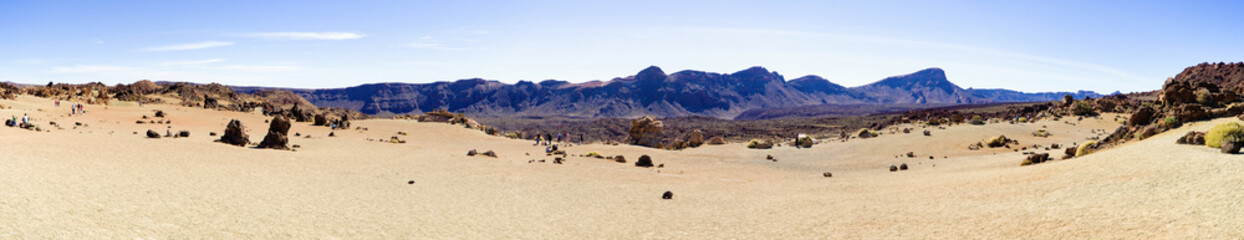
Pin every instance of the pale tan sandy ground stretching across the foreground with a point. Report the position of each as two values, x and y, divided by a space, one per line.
105 182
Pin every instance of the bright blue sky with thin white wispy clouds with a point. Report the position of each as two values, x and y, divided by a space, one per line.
1022 45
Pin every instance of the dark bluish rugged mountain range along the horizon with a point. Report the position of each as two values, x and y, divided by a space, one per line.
652 91
